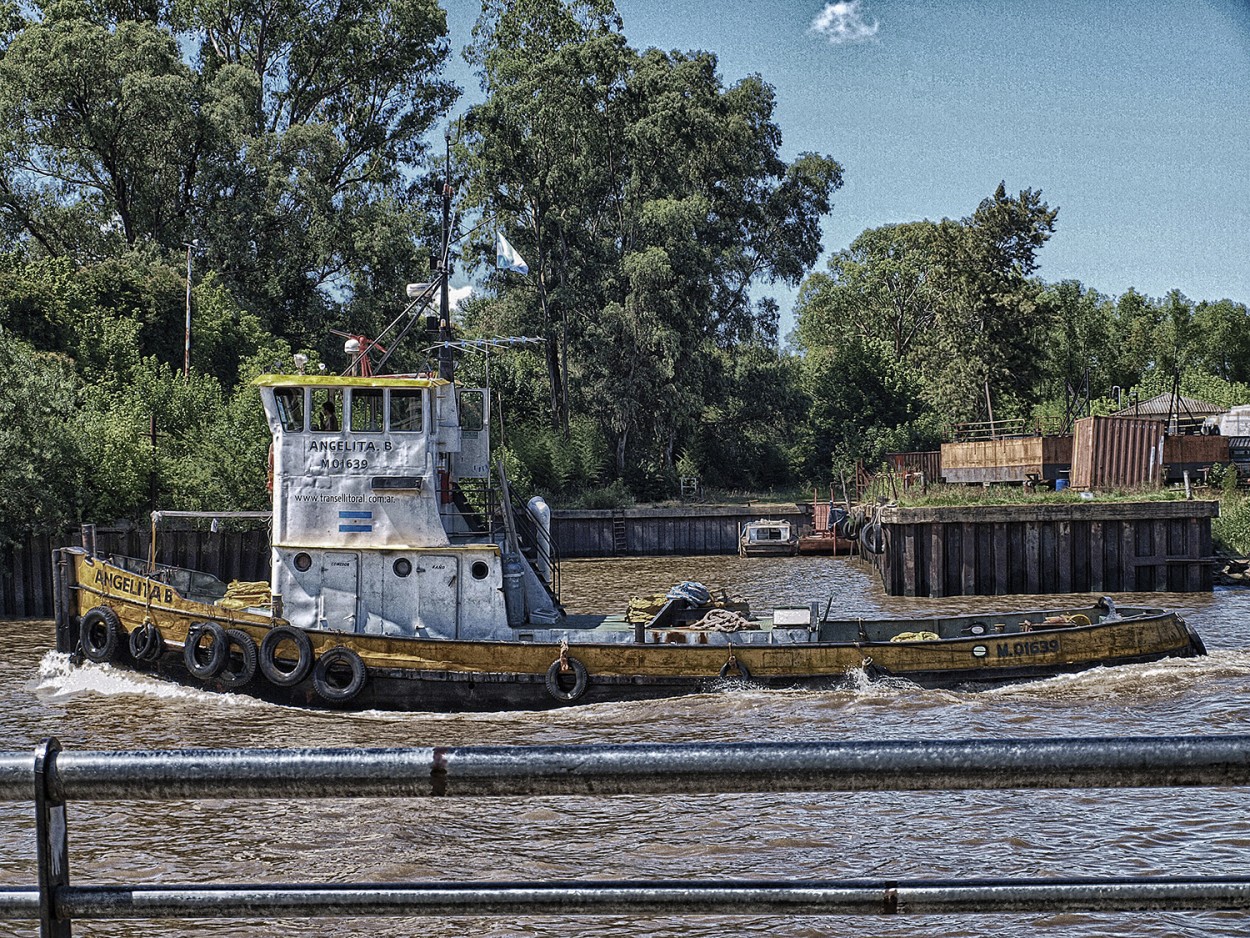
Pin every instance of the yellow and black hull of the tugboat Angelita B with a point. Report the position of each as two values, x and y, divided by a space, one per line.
451 676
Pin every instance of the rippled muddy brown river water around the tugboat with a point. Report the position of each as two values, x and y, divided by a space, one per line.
902 836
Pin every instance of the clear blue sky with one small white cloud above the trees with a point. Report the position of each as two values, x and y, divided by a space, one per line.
1133 118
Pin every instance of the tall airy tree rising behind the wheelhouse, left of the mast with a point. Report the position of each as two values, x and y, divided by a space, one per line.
321 196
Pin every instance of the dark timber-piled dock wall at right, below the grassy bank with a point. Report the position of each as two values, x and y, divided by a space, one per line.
1081 548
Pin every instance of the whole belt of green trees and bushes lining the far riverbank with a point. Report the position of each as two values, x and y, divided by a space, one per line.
281 171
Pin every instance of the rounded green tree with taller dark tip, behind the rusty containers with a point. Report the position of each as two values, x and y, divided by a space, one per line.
953 303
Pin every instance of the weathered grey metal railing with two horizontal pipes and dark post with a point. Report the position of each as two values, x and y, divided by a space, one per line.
54 779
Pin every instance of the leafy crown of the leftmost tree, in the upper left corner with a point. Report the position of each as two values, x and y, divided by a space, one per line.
102 133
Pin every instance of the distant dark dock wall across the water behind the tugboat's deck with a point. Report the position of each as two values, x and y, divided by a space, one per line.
648 532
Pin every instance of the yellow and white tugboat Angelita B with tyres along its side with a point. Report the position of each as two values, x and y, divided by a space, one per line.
407 575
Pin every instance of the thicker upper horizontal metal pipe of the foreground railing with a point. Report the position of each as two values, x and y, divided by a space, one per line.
1156 762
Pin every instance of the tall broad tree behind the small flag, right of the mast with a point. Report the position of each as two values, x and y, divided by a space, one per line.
649 199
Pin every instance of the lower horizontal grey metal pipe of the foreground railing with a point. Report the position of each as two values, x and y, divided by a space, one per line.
878 897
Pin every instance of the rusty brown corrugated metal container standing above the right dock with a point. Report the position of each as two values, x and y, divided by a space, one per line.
1117 452
